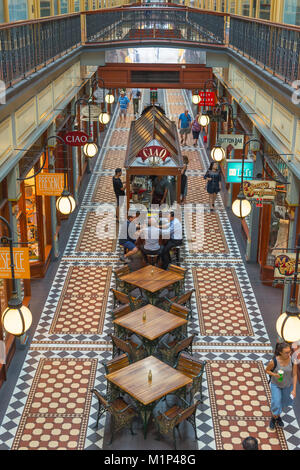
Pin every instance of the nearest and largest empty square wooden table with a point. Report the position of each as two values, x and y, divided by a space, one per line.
133 380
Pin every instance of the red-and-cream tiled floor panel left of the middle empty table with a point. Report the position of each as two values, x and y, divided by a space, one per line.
82 303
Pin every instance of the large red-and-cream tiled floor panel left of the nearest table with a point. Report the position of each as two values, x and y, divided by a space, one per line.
57 409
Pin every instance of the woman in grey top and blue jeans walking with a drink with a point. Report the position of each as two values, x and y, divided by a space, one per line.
283 375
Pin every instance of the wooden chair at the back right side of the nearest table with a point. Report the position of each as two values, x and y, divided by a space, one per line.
194 369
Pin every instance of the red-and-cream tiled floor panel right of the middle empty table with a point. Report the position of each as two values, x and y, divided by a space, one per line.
221 307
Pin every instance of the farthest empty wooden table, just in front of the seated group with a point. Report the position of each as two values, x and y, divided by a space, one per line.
152 280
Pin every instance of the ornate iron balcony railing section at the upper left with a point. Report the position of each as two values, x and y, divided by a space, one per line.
27 46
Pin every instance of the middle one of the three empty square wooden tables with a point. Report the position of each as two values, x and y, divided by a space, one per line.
158 322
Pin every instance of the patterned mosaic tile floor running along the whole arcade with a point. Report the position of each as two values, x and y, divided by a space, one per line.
52 407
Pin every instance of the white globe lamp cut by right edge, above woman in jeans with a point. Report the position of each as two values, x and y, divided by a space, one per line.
288 324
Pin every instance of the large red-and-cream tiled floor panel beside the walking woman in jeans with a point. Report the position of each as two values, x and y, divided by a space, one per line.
240 403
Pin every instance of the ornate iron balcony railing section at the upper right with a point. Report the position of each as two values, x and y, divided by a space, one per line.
273 46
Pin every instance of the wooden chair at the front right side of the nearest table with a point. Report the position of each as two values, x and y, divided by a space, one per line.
171 419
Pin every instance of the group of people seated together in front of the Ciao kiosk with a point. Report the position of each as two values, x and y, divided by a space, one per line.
155 229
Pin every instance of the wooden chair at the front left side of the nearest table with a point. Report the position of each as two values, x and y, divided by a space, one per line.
121 413
